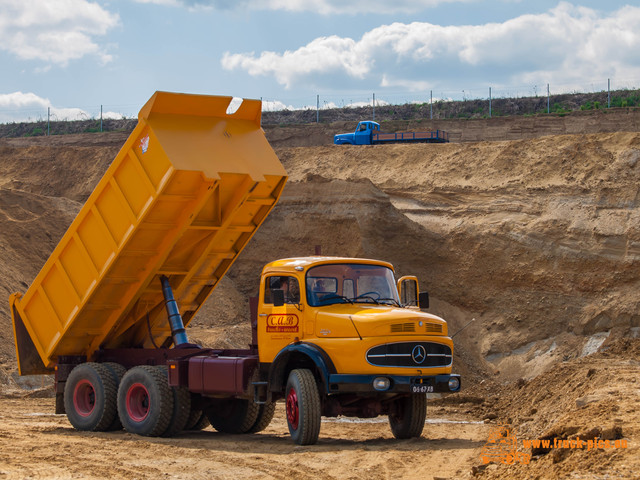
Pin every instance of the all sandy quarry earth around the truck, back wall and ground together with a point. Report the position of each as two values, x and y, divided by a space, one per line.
537 239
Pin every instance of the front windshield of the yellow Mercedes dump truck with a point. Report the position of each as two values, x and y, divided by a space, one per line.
351 283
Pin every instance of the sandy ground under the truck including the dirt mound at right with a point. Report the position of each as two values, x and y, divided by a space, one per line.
578 399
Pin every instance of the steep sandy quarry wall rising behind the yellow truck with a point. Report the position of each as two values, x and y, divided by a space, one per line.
538 239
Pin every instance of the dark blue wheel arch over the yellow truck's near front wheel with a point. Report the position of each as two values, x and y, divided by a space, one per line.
300 355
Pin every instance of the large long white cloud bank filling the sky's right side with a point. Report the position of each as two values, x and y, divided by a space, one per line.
565 45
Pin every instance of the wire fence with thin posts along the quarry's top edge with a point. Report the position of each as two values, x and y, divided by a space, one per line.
387 105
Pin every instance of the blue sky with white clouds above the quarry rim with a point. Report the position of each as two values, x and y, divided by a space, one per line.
74 57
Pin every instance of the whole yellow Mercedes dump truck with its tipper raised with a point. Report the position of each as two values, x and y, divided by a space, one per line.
107 312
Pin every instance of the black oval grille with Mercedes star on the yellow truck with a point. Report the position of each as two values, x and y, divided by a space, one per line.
410 354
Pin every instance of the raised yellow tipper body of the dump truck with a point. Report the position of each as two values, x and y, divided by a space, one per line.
183 196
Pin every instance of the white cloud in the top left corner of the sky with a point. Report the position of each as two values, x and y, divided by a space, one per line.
54 32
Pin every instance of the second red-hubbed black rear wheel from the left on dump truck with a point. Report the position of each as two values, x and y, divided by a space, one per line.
145 401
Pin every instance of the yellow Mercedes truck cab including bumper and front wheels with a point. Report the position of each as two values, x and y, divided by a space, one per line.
357 335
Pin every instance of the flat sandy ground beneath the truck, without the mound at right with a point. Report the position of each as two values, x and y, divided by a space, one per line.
38 444
